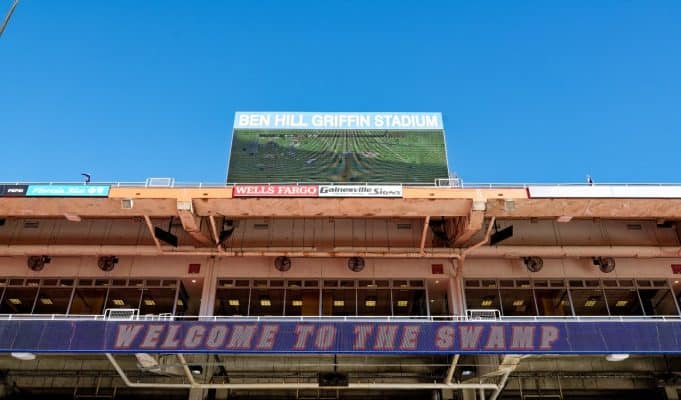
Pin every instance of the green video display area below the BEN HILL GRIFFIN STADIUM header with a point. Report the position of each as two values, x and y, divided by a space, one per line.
271 156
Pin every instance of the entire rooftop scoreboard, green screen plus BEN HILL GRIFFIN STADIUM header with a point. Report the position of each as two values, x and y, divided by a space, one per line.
278 147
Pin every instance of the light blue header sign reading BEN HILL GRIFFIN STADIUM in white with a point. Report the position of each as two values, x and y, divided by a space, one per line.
338 120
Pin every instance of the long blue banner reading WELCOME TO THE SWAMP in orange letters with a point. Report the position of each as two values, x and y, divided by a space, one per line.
341 337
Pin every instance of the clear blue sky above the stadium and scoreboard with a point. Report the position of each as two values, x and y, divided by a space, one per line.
530 91
